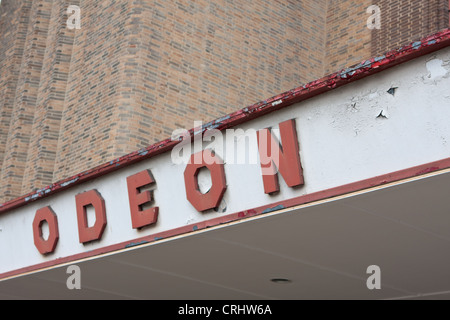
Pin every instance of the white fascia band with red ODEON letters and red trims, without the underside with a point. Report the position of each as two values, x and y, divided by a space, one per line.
351 133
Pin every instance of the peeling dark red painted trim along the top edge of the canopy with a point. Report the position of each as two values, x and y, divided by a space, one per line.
364 69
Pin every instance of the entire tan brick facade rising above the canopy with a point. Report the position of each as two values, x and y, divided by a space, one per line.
138 69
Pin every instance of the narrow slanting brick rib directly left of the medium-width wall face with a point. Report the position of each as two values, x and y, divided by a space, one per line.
42 150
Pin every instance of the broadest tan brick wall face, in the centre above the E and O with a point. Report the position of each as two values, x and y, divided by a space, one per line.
200 60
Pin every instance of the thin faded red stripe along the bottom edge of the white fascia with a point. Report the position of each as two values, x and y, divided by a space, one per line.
304 199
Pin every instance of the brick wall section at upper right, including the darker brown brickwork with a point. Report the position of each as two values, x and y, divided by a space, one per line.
349 40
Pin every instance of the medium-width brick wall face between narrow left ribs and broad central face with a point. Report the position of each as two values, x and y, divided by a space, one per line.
98 87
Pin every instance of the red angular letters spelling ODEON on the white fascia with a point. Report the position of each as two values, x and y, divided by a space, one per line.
274 159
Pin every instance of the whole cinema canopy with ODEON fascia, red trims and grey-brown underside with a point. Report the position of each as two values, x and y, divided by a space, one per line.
362 180
